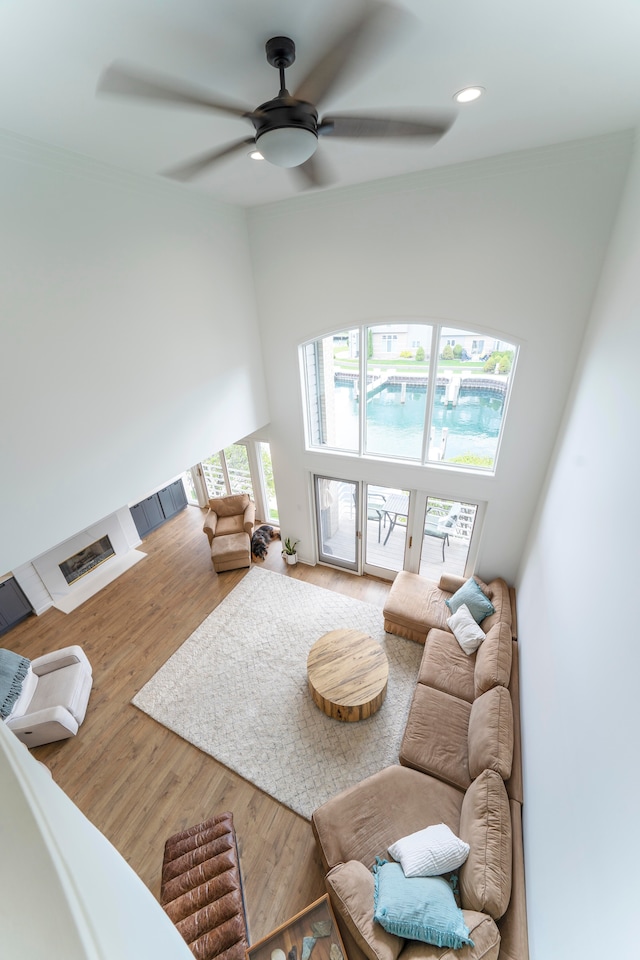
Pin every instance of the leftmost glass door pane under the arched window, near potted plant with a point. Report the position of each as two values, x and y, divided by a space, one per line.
337 516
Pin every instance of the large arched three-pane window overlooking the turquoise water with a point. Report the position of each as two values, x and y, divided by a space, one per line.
418 392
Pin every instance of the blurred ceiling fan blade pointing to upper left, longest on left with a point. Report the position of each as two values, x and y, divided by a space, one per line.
123 80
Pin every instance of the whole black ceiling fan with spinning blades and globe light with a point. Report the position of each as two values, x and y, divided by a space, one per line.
286 128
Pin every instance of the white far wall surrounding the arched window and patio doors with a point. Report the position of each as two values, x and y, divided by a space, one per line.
512 245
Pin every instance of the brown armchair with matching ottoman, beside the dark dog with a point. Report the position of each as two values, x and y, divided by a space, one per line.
229 527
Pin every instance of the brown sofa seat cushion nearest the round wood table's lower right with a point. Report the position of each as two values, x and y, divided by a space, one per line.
435 737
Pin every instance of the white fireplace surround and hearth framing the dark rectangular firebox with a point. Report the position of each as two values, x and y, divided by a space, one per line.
44 583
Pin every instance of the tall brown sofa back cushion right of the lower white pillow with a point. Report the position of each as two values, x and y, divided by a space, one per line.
485 824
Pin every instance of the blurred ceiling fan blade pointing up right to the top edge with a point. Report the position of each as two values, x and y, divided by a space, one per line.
368 29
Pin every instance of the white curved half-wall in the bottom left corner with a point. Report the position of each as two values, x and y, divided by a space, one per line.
69 893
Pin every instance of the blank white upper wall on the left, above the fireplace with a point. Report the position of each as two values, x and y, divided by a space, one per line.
130 346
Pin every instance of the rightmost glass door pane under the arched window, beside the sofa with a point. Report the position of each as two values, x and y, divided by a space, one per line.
448 527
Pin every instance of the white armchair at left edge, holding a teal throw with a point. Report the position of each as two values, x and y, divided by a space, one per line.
53 699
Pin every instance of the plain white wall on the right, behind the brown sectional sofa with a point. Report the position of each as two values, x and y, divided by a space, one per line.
580 656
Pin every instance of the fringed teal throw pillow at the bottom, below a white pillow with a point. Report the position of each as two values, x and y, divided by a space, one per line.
417 908
